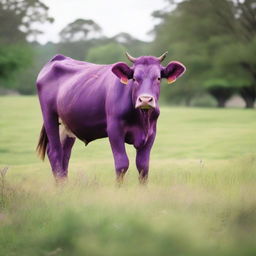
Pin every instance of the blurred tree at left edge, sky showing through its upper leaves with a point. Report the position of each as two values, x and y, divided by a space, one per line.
18 20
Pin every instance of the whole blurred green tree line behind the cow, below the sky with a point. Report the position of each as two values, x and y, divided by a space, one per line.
215 39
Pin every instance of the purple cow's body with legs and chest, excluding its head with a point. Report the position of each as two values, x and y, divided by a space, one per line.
89 102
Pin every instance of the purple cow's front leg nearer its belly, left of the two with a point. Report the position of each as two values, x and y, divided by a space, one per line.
116 138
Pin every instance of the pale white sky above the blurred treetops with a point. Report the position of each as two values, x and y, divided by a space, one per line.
114 16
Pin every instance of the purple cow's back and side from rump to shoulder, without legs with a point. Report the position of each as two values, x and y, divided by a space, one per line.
77 92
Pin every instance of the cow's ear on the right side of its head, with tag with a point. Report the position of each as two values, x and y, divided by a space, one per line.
173 71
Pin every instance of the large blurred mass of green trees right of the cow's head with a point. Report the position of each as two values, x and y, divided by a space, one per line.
206 39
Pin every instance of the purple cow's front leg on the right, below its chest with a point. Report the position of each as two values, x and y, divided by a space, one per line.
142 160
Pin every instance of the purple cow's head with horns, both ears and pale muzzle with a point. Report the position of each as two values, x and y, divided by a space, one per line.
145 75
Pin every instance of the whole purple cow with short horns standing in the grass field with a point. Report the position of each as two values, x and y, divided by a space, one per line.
88 101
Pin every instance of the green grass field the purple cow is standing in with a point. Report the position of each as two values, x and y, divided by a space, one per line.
200 199
